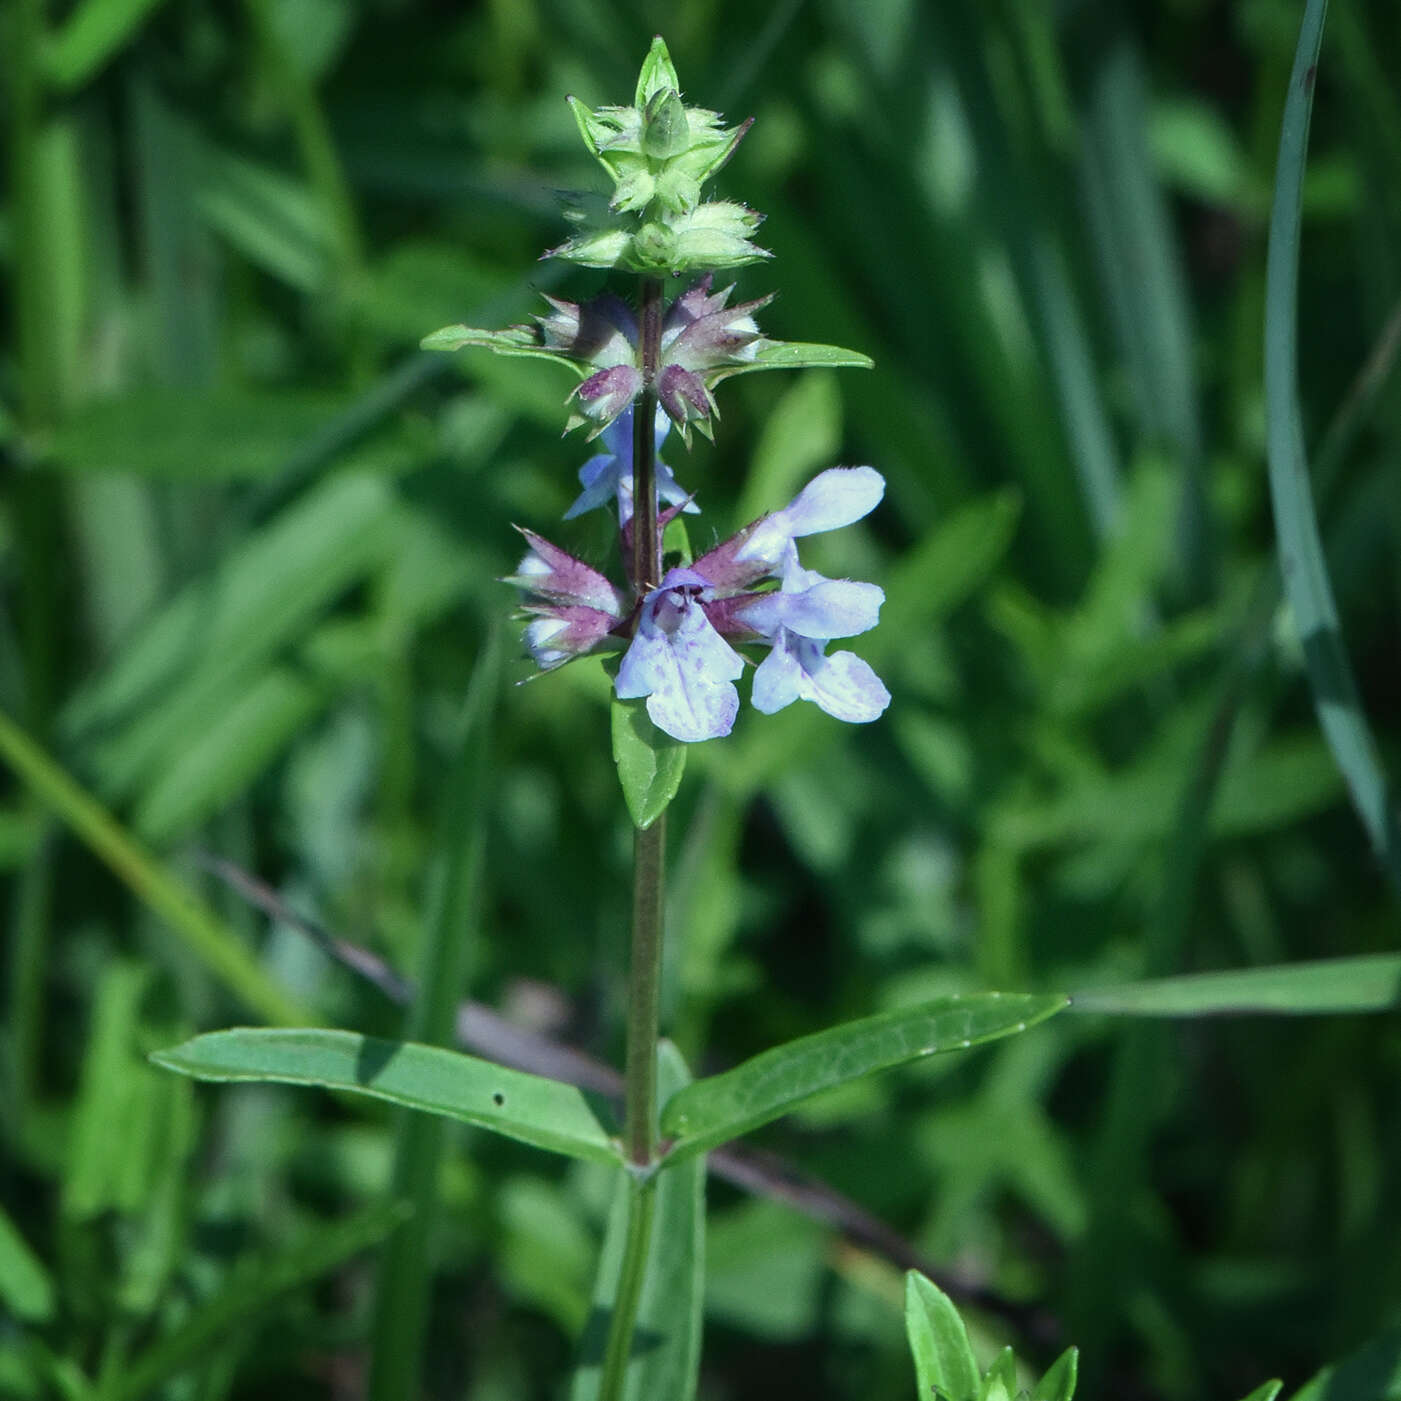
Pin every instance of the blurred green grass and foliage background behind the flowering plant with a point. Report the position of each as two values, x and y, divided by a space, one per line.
249 547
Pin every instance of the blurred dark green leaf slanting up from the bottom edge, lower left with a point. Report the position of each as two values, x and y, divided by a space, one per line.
250 1292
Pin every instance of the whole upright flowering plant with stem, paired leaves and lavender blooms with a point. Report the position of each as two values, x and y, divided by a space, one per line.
680 630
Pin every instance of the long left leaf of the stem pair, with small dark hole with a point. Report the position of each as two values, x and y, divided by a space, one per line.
544 1113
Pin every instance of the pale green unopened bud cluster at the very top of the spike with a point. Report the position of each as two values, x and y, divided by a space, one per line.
659 153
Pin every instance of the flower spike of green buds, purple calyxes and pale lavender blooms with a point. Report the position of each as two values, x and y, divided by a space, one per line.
642 372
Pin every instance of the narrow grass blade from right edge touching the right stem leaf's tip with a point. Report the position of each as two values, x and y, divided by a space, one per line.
1371 983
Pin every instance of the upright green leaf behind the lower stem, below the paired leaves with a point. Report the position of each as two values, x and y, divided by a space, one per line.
666 1355
